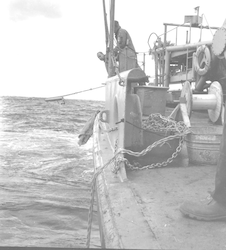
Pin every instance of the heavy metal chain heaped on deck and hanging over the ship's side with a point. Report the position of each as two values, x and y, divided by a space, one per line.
155 122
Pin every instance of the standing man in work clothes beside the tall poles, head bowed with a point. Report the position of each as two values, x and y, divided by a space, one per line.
124 51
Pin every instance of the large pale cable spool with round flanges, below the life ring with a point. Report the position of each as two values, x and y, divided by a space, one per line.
213 101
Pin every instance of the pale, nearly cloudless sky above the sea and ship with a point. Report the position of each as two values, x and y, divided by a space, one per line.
48 47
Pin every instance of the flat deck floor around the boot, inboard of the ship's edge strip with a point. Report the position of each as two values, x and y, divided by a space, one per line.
160 192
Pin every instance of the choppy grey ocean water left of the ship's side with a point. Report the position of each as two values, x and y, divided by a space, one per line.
44 174
